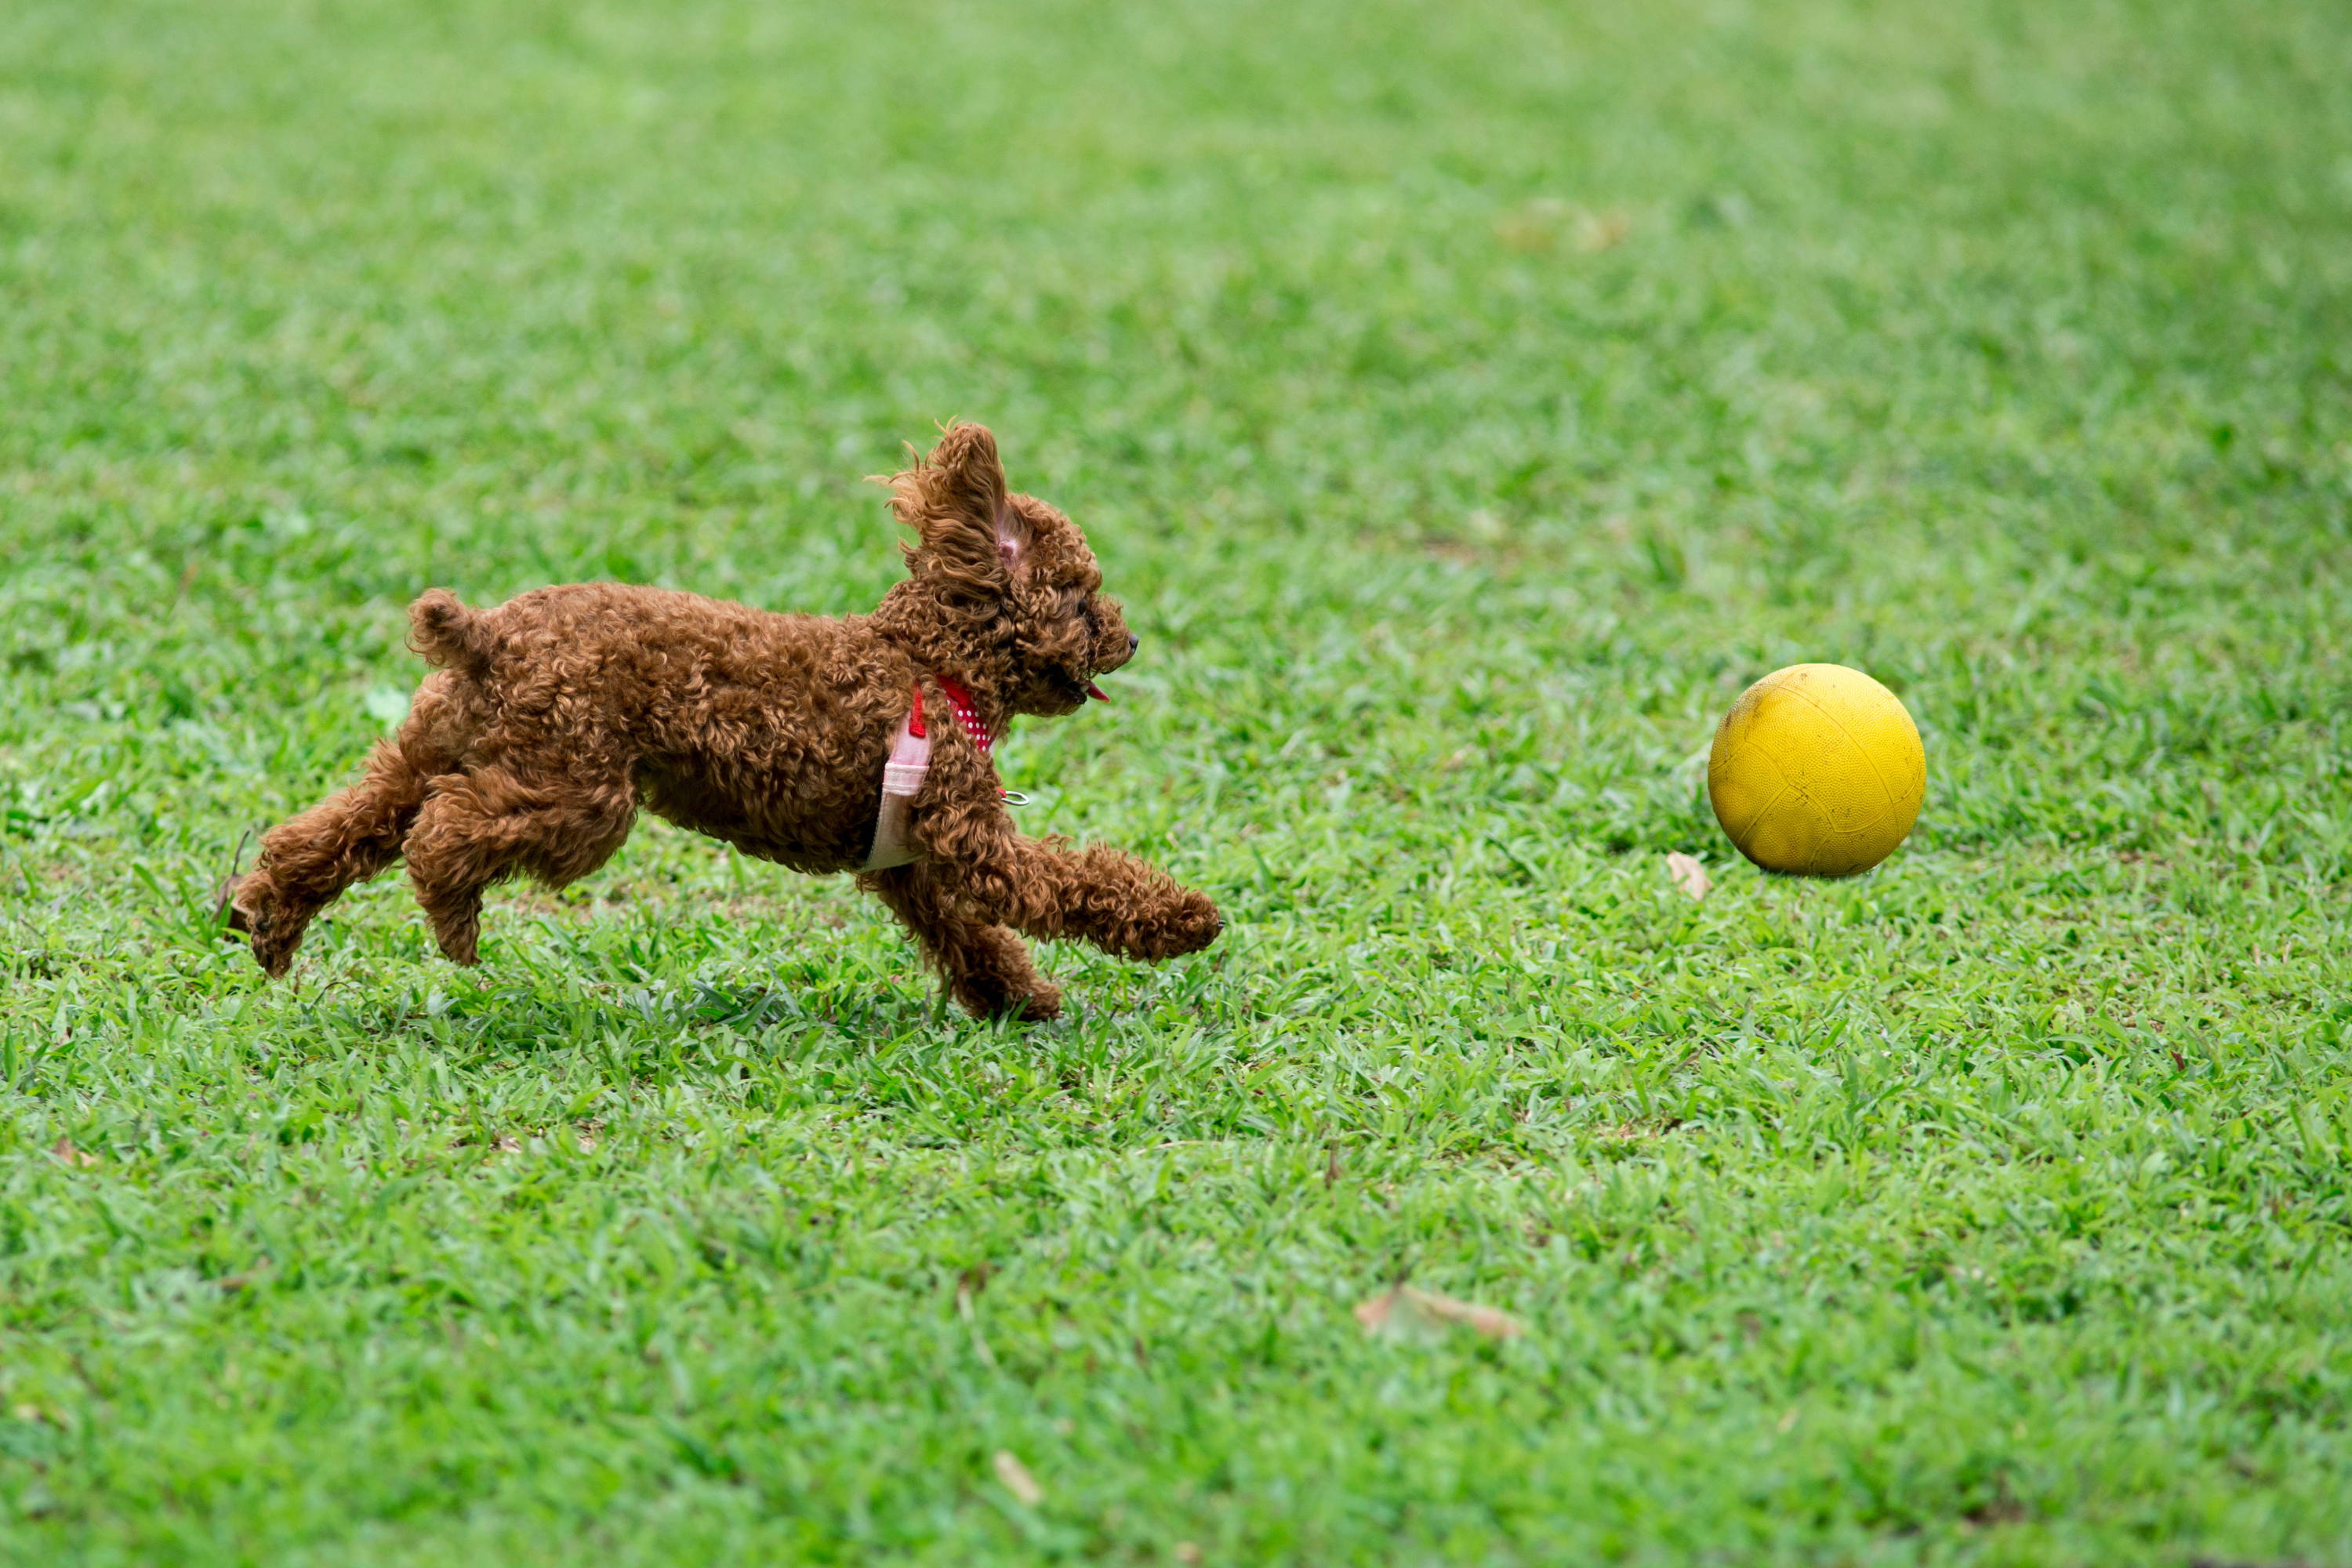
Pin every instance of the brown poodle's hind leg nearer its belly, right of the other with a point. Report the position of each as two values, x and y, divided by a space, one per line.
483 826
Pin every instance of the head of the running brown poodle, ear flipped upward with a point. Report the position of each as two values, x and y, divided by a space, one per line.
1001 587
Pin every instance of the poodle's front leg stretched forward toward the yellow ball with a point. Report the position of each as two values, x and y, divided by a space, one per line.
1048 887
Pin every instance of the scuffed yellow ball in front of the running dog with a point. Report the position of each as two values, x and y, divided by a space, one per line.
1817 772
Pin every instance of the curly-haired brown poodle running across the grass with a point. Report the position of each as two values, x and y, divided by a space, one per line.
853 744
